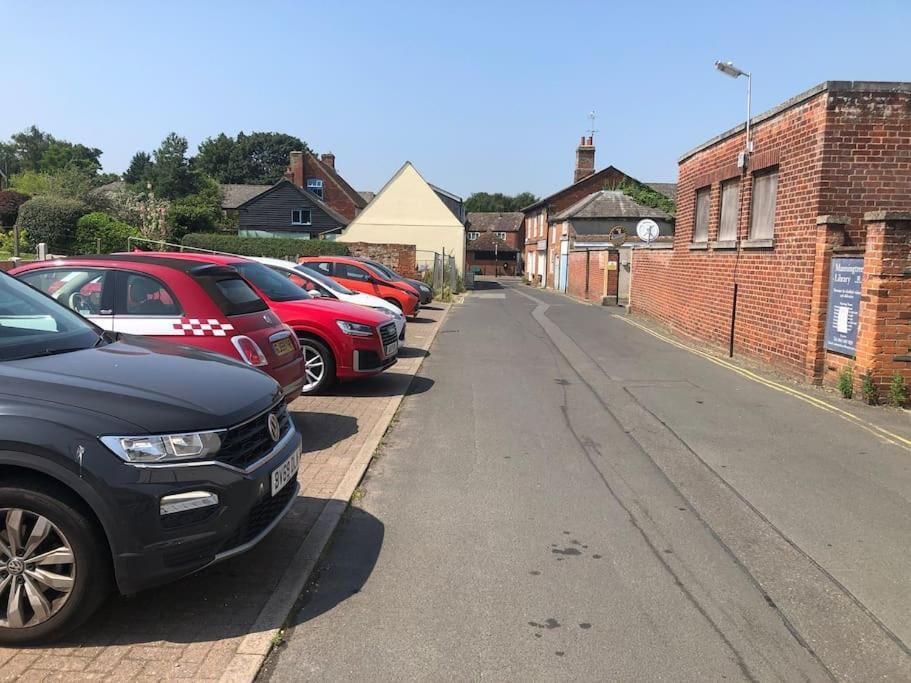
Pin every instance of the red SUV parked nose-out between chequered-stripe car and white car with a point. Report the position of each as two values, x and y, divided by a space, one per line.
338 340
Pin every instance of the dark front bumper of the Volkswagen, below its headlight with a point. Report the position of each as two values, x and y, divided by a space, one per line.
150 550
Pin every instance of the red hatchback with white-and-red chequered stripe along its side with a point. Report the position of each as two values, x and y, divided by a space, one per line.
178 301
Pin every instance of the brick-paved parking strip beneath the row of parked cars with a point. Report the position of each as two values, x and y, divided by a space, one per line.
219 624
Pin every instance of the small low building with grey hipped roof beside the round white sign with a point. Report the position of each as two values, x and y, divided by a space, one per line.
588 224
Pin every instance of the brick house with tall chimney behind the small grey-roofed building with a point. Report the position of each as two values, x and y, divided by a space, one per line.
545 251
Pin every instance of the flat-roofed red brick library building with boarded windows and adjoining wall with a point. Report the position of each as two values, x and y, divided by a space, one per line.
770 232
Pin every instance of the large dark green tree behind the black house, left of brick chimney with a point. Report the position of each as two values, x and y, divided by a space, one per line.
258 158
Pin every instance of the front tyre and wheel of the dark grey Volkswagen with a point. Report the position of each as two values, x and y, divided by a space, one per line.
71 576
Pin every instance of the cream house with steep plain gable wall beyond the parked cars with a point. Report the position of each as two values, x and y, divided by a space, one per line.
407 210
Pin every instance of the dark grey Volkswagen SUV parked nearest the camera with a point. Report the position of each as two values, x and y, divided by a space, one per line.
124 458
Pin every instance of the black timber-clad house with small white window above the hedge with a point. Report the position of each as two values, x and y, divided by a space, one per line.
286 210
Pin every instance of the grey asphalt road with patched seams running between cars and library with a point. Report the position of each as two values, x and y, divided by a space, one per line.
573 498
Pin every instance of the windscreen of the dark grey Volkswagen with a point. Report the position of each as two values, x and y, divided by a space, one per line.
32 324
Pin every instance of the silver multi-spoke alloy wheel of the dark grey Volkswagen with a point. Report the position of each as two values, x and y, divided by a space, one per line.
37 568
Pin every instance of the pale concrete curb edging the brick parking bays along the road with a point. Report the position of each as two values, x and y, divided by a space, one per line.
255 647
